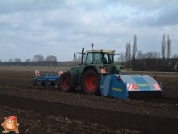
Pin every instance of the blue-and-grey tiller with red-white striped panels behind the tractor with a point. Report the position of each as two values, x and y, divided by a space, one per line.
125 86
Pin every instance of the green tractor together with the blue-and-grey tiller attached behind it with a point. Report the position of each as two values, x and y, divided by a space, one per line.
98 74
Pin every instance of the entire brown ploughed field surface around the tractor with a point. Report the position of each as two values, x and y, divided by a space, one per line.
49 110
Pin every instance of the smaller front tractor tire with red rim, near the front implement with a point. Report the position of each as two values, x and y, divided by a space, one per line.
65 82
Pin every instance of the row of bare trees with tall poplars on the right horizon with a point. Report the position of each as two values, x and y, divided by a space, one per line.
137 60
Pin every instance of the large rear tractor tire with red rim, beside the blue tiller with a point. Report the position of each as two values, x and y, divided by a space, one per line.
91 82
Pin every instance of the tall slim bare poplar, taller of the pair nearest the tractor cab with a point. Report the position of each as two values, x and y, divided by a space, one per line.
134 51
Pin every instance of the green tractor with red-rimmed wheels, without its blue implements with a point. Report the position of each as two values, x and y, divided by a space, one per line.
88 74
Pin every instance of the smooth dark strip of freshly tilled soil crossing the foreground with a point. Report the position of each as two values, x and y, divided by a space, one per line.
113 119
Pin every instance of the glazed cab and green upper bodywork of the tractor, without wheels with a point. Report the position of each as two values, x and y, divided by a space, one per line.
98 59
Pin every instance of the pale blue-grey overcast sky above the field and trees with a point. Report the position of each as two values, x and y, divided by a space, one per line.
62 27
